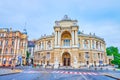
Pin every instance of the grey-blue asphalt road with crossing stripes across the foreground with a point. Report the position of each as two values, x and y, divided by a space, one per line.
37 74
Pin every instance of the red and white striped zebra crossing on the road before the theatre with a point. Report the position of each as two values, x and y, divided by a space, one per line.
76 73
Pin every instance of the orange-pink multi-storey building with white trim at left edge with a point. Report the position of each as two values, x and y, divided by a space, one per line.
13 47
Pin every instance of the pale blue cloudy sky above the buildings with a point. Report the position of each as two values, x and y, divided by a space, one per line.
101 17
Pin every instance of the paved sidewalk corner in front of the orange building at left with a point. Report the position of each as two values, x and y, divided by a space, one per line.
8 71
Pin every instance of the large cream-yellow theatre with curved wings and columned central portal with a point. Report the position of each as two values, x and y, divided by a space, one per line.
67 46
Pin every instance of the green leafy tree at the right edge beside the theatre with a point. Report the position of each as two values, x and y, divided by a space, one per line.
115 52
